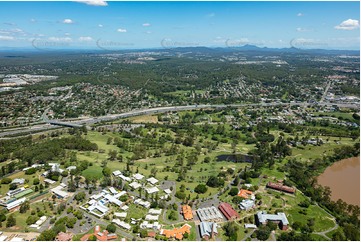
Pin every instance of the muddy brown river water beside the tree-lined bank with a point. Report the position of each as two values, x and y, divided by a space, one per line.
343 177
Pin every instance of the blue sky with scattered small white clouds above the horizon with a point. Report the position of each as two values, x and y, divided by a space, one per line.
96 24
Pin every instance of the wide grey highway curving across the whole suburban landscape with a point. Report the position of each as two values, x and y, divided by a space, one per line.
139 112
